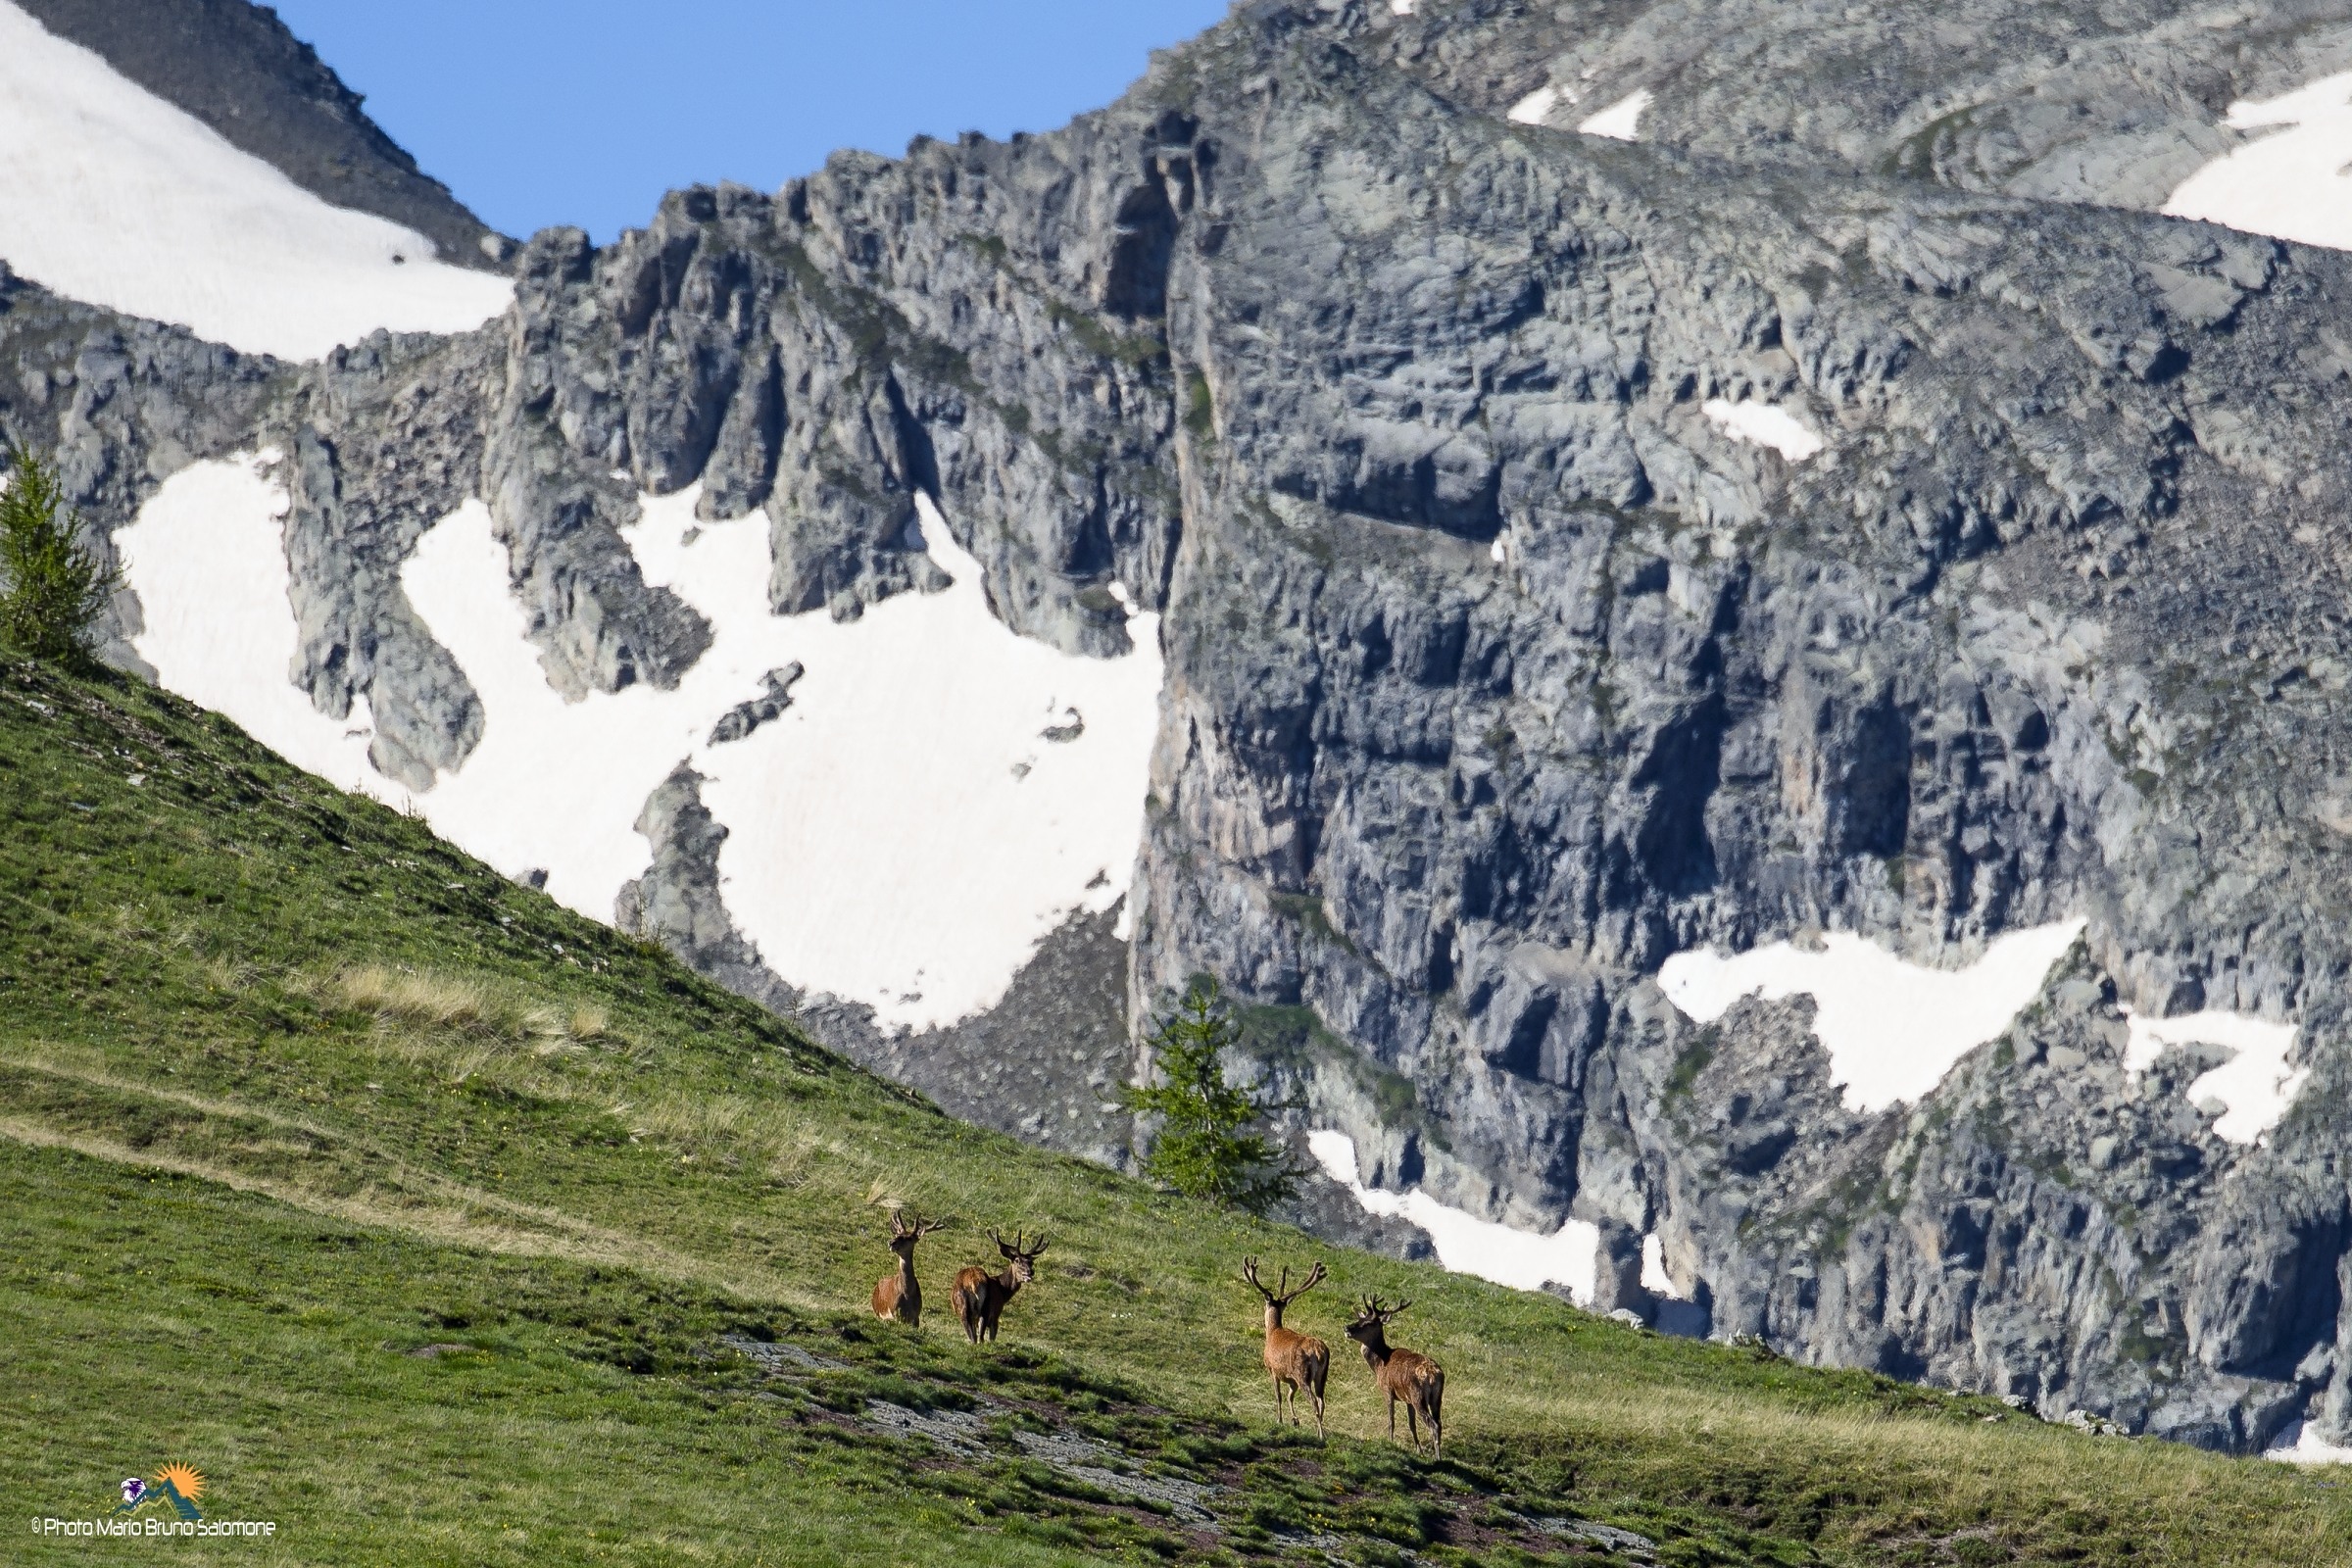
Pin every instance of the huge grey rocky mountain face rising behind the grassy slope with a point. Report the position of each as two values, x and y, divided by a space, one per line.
1499 669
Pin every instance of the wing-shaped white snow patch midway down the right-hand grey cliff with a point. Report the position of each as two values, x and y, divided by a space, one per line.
1892 1028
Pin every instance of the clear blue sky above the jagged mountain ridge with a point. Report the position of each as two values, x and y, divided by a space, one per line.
584 112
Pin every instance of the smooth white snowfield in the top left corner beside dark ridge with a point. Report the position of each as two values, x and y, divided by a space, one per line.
116 199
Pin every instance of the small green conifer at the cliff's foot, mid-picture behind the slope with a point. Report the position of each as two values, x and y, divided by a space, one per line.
1203 1148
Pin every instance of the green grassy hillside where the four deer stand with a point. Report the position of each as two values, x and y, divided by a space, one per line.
448 1228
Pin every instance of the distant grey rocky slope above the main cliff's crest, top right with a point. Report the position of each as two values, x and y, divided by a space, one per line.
2111 105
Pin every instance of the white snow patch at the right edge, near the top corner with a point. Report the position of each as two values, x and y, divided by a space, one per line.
2292 185
